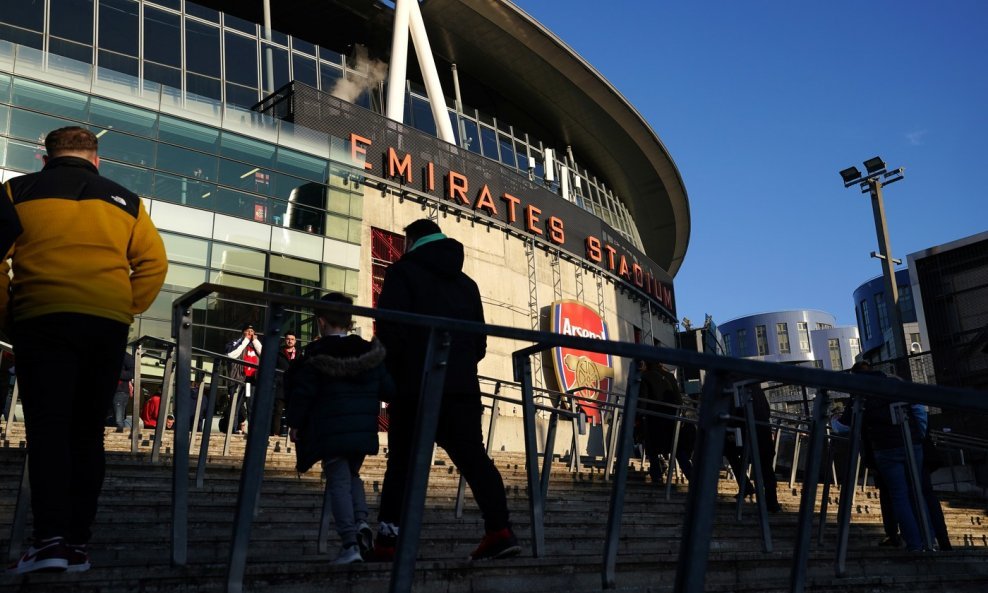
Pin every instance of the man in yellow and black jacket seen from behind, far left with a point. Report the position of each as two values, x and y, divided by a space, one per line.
85 258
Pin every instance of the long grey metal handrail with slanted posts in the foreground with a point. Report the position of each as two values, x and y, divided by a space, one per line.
712 419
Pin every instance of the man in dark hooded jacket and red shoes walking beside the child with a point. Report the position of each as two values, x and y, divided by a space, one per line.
429 280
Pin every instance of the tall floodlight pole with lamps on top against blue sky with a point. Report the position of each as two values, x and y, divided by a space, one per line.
877 176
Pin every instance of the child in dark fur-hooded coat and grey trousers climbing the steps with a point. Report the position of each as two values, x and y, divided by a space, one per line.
332 396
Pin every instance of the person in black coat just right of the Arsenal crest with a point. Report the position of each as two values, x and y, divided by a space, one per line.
659 393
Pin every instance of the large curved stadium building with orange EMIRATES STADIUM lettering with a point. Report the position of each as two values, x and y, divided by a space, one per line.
288 158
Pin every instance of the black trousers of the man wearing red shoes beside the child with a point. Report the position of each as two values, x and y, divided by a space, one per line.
460 434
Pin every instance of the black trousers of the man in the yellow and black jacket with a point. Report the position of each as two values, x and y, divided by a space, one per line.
67 367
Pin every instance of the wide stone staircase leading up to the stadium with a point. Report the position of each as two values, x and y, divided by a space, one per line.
131 547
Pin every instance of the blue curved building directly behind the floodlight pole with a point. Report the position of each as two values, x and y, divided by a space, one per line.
871 309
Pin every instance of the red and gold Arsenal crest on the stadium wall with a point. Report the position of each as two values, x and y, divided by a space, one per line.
587 374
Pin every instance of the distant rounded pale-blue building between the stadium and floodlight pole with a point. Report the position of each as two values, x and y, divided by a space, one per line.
797 337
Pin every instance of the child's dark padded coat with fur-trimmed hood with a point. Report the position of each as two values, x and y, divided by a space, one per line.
332 398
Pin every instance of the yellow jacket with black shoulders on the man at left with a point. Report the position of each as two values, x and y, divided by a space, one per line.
87 245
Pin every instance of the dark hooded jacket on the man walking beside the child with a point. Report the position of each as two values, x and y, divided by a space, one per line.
429 280
